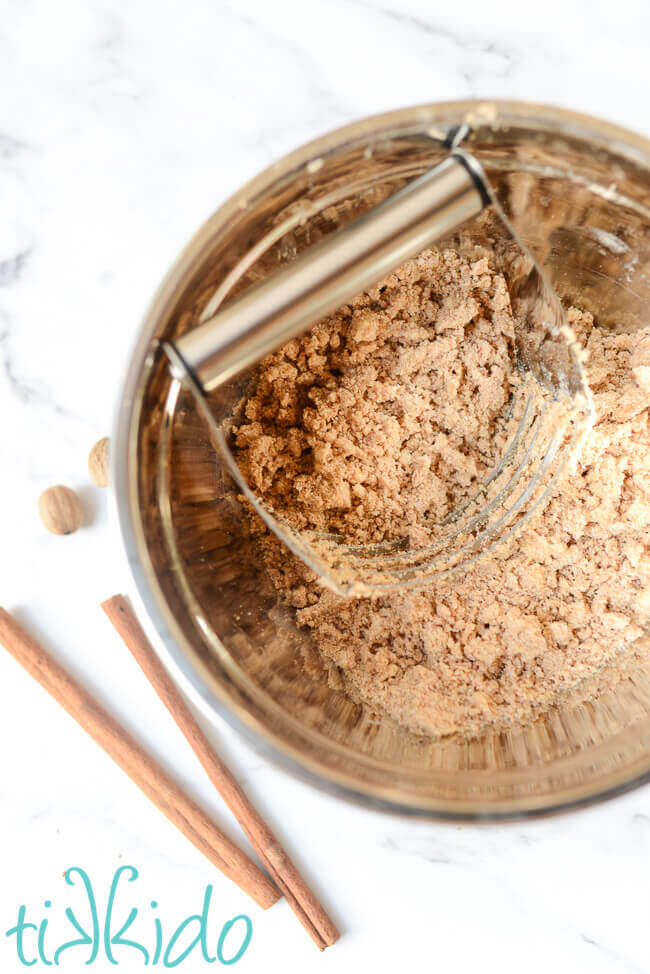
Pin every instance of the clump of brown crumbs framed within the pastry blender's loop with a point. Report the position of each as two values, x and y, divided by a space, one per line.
384 415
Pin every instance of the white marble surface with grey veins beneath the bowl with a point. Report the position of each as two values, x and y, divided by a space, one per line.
122 126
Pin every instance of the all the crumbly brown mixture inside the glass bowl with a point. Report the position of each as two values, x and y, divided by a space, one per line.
387 412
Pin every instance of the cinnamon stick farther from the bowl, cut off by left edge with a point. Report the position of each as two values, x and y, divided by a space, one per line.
136 763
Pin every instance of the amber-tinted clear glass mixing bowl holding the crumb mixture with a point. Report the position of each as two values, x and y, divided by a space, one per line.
578 191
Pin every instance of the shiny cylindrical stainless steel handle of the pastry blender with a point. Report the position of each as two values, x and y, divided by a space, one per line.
333 271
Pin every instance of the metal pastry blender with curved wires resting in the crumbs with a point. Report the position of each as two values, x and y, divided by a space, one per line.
546 418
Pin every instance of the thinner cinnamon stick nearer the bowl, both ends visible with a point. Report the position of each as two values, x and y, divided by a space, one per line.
282 871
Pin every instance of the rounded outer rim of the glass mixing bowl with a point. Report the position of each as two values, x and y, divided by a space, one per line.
169 641
